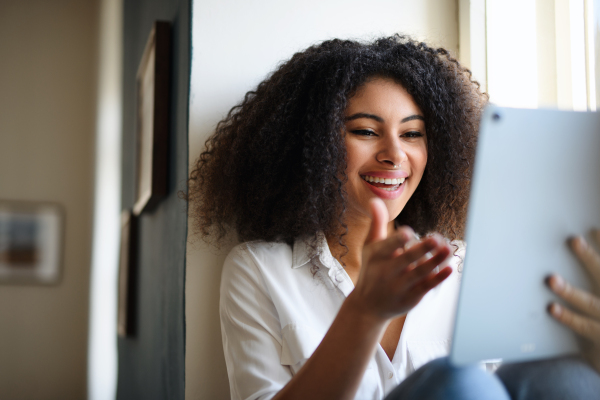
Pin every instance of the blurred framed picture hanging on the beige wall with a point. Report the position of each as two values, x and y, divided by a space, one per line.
31 242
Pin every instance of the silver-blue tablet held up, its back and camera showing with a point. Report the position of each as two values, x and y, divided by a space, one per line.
536 183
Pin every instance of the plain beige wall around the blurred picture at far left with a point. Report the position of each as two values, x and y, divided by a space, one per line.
47 70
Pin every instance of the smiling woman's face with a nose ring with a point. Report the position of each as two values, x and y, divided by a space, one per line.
386 146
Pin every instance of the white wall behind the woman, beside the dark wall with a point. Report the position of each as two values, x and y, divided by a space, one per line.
235 44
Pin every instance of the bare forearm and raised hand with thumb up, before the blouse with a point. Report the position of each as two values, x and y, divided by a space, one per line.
391 282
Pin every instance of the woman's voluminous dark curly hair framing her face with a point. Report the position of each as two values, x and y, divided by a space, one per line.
274 169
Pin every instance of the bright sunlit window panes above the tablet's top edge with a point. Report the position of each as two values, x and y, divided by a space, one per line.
540 53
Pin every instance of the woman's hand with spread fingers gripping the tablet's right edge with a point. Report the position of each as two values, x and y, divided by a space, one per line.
586 319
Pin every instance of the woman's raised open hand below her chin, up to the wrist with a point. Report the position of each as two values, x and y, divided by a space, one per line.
397 270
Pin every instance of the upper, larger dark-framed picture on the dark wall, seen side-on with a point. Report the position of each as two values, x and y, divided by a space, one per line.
152 129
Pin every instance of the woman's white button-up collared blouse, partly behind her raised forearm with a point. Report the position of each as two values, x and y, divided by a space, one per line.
277 303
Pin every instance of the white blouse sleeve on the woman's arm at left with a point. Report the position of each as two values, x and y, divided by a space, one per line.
251 330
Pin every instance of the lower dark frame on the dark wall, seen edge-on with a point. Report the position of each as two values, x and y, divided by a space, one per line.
127 275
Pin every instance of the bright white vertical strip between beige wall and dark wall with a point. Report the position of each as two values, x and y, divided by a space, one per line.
102 347
